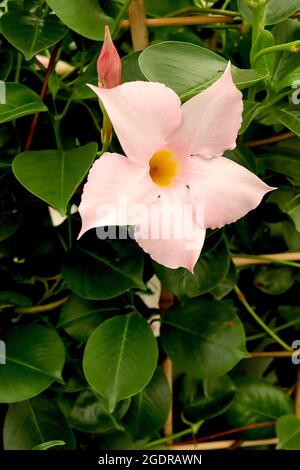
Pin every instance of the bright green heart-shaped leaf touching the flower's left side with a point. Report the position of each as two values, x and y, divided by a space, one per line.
54 175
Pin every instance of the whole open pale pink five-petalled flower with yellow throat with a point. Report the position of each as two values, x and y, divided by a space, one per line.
174 159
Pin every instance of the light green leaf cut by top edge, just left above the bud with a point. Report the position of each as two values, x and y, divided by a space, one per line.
83 16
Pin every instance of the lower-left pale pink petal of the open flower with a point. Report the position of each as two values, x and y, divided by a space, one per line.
114 191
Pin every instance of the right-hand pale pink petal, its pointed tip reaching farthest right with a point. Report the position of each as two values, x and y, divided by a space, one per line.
223 190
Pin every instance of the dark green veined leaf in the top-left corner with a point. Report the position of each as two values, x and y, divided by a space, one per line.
29 31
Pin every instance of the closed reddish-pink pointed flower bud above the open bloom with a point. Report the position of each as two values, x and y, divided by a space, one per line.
109 64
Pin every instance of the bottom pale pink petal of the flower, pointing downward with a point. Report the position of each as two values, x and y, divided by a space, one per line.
170 234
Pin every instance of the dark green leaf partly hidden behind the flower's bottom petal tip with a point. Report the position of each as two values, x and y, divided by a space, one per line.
211 268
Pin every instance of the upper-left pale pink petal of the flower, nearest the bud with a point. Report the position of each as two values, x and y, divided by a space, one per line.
143 114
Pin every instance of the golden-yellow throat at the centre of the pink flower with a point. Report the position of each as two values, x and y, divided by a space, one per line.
163 167
